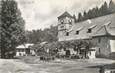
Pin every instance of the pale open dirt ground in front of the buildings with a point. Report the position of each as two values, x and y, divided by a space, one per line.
57 66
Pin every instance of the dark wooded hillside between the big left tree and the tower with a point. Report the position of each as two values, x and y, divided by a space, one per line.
48 34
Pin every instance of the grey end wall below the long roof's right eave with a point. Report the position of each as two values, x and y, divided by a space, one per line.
102 46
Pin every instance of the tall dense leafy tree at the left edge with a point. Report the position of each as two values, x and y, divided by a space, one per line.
12 28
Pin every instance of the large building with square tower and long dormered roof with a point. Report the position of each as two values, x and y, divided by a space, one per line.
100 30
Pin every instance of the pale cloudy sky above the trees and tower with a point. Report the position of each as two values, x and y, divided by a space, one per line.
40 14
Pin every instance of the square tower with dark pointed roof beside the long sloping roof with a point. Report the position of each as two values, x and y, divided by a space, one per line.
65 22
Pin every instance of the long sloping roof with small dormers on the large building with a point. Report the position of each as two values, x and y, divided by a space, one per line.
103 25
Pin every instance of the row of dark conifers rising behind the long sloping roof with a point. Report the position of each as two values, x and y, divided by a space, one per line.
97 12
